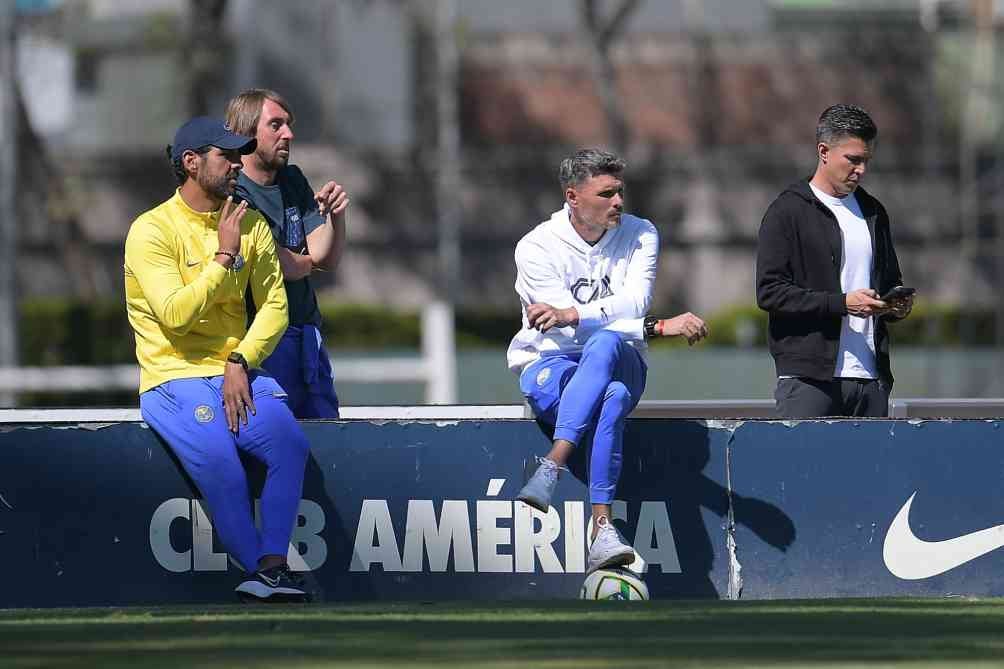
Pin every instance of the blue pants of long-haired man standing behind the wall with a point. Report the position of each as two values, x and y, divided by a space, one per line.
301 365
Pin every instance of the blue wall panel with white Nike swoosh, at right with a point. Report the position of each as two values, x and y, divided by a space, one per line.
844 483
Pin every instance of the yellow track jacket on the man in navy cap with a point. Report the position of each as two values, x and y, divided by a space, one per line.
189 312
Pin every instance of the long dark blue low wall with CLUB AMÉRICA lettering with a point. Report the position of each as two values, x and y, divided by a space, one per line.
103 515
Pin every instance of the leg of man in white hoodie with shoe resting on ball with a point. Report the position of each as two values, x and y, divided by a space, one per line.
623 394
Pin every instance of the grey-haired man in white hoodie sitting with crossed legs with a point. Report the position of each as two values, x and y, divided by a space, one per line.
585 281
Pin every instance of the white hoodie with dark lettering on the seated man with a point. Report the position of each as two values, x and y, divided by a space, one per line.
610 284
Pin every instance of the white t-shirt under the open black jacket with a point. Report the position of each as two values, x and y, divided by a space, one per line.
856 358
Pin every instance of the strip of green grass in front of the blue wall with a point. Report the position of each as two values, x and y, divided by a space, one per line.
827 633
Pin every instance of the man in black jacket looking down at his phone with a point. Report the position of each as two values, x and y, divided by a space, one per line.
825 256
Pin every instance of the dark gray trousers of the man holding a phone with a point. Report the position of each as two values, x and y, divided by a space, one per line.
809 398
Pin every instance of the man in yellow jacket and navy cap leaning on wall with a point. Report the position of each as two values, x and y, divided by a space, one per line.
189 263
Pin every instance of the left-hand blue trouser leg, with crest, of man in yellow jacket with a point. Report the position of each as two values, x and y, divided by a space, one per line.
189 416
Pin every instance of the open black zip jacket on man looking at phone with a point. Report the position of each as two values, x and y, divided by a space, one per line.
800 250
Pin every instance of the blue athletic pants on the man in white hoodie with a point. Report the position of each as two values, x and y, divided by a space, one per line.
593 391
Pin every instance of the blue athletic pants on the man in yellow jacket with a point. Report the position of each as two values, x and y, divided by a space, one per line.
188 414
